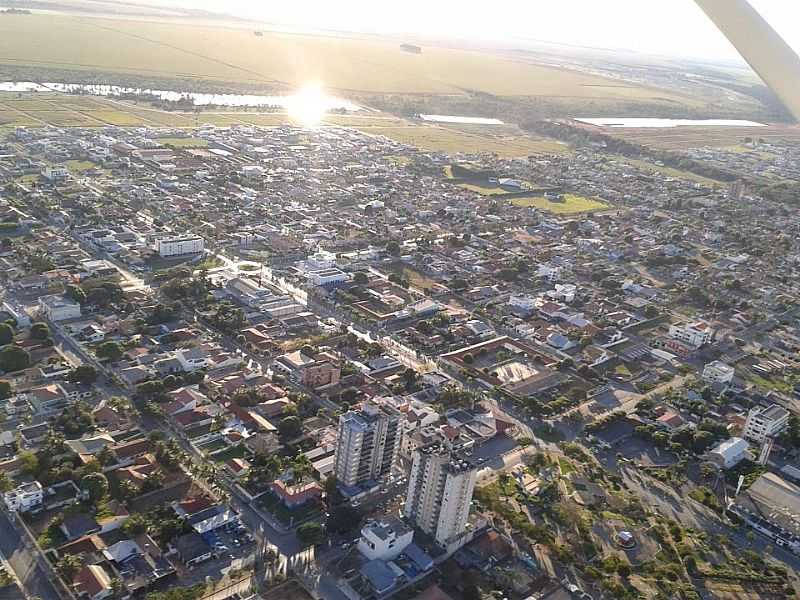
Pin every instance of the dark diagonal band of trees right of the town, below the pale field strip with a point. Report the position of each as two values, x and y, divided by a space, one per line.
577 136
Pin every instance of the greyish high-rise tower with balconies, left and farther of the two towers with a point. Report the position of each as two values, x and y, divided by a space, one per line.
367 445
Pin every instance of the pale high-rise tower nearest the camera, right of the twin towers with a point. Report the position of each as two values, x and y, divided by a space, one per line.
440 492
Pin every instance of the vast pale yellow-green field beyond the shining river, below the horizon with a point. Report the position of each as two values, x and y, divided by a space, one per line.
152 47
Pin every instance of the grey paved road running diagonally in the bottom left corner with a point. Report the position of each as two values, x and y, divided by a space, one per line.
25 561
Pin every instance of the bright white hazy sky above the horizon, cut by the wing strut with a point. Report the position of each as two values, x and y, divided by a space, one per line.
664 27
